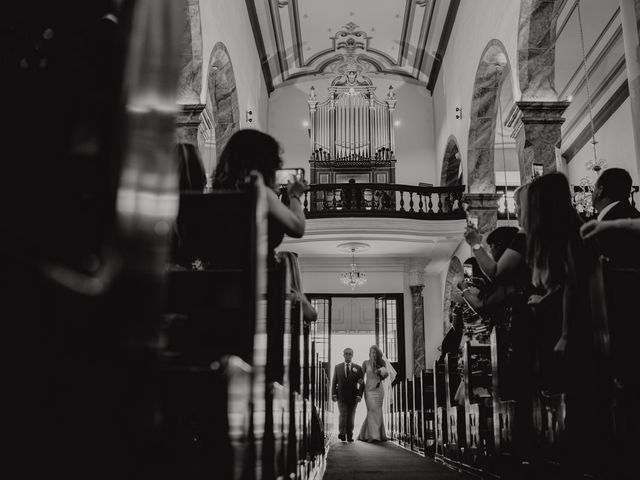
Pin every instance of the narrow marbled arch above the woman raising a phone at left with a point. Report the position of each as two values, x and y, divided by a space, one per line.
222 98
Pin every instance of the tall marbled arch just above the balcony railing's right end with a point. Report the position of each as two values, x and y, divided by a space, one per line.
492 76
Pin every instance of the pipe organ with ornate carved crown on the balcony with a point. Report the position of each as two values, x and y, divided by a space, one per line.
352 133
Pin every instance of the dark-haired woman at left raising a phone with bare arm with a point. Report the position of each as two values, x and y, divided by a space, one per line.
251 150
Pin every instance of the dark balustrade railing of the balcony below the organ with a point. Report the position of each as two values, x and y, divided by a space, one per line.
383 200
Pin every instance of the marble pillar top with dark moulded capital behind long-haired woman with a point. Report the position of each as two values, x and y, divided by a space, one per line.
537 134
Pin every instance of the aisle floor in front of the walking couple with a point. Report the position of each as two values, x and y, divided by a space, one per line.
384 461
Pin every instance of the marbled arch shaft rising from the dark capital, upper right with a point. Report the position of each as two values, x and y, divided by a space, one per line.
536 49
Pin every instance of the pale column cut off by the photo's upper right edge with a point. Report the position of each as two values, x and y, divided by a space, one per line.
630 10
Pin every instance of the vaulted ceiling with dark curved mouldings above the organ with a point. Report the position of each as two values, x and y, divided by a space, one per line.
307 37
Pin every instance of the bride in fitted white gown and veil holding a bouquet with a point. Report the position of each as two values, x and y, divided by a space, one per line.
379 377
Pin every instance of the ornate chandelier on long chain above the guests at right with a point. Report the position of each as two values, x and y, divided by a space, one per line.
583 193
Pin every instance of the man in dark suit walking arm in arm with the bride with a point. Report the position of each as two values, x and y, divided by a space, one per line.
347 390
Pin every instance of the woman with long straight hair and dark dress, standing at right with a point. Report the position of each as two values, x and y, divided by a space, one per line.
560 260
